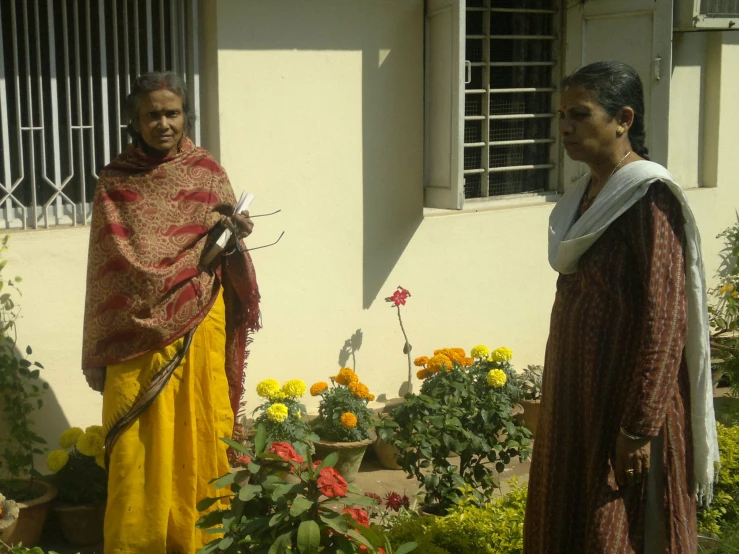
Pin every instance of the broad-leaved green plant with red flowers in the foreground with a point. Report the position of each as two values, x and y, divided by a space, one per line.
258 511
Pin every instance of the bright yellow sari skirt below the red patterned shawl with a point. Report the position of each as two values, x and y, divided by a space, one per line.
161 466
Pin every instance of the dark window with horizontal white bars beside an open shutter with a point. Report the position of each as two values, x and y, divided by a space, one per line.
510 77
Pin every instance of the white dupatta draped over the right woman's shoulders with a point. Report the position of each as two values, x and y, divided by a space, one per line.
568 241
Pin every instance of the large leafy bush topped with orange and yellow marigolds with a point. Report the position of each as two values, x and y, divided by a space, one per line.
465 406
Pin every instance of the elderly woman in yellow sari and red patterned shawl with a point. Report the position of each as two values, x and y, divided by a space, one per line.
165 337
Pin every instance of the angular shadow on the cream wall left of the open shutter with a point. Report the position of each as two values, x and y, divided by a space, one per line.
390 36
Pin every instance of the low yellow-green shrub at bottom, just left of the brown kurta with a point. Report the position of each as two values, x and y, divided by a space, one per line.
496 528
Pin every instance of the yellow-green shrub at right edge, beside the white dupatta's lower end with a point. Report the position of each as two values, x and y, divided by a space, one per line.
725 507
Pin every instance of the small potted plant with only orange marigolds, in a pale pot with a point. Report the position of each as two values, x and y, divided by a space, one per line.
344 423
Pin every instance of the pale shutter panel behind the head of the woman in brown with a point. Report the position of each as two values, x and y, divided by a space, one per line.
638 33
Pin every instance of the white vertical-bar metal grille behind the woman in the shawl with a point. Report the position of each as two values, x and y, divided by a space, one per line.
66 67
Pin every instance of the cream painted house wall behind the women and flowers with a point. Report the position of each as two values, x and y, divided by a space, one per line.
319 112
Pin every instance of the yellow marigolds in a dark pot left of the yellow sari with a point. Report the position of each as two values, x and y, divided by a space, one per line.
82 481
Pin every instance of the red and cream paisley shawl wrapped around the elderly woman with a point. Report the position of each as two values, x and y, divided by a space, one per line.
150 222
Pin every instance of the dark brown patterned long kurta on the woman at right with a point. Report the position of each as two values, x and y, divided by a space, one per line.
615 357
